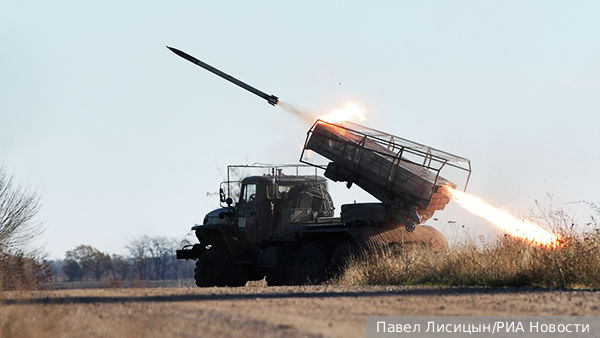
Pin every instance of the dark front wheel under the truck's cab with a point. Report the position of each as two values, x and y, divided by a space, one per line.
216 267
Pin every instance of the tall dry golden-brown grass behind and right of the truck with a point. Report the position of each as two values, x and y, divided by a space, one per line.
504 262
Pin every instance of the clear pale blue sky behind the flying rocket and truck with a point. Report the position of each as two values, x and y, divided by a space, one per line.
123 138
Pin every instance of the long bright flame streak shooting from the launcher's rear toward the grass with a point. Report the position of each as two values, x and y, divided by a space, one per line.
524 229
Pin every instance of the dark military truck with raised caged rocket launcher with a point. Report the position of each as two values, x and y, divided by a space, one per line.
282 227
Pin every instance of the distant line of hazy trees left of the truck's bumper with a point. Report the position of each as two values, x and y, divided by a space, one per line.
147 258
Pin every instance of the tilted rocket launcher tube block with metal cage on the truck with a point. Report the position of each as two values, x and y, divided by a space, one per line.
398 172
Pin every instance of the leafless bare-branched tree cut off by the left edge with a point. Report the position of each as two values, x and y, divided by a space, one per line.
18 207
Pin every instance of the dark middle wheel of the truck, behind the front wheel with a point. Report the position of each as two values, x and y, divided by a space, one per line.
312 264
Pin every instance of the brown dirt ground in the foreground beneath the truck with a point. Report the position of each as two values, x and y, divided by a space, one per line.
259 311
